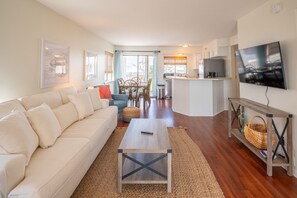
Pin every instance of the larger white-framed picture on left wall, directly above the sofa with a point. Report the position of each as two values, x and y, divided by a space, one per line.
54 64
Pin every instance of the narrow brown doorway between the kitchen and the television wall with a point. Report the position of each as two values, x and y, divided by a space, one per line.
235 77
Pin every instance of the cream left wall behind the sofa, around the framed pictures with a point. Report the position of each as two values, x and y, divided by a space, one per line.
23 25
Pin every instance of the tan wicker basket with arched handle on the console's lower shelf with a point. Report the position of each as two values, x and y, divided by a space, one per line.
256 133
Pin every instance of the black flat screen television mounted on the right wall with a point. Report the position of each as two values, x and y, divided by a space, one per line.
261 65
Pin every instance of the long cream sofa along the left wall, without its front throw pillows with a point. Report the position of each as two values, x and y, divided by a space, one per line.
57 170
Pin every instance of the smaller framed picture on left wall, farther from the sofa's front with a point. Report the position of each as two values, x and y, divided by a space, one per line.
90 65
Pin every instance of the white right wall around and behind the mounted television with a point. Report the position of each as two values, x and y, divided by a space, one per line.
262 26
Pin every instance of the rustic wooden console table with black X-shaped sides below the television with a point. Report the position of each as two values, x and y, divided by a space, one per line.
237 106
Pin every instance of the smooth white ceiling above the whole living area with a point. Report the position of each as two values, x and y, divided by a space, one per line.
156 22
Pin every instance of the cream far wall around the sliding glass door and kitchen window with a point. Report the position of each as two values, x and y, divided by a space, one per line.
190 52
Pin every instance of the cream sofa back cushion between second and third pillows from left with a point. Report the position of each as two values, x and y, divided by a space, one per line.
66 115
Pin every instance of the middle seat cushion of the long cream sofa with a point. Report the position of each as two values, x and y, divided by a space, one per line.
93 129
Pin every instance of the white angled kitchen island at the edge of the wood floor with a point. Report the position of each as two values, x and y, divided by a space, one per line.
198 96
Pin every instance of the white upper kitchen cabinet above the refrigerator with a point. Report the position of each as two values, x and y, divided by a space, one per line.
216 48
